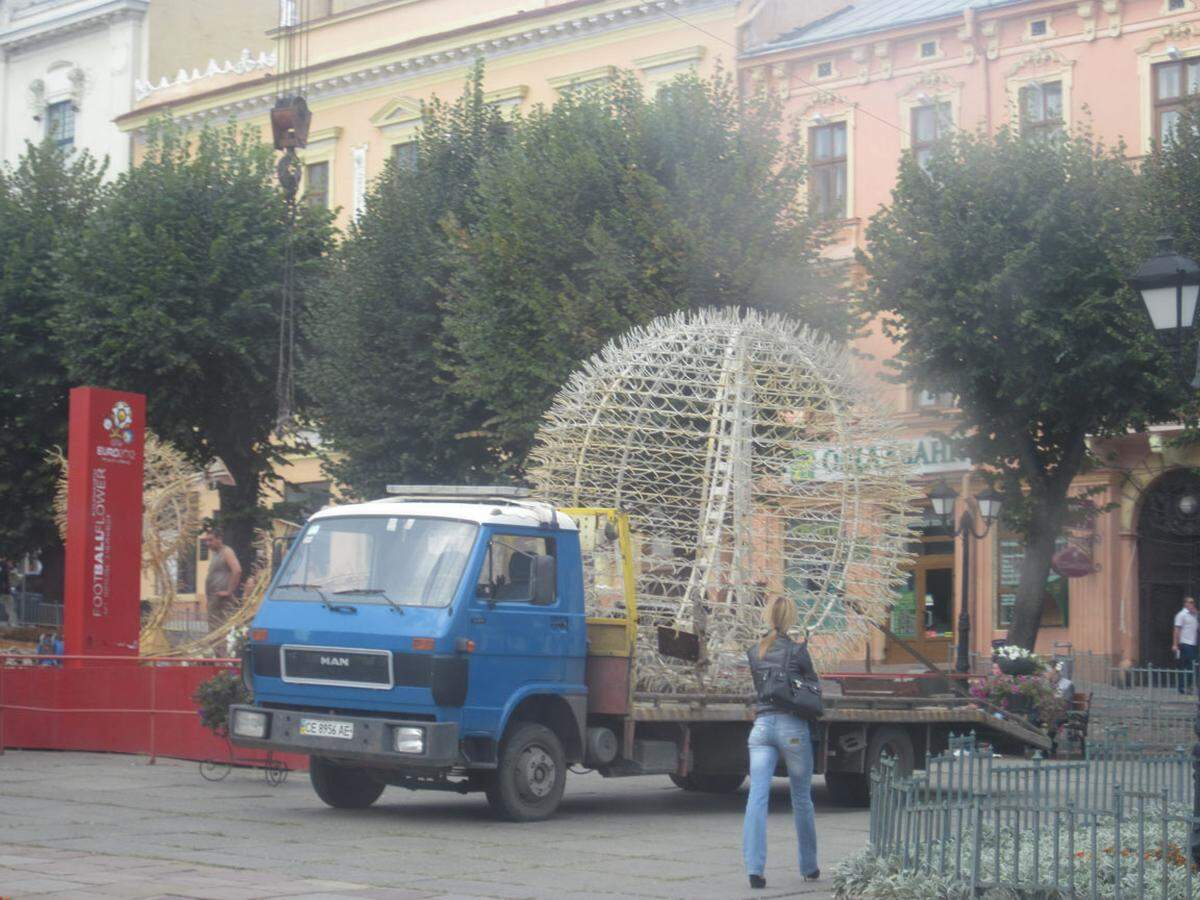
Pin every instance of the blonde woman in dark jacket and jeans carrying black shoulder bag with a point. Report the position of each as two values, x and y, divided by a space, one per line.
781 730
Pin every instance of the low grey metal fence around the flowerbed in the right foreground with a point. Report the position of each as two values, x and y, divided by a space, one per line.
1115 825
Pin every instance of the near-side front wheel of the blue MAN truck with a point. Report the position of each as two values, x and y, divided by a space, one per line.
529 783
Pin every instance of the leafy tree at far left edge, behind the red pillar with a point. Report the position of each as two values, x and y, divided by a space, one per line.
45 203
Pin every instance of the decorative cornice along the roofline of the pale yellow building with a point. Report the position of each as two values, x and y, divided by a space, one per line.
374 71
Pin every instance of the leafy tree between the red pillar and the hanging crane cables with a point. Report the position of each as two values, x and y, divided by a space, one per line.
176 292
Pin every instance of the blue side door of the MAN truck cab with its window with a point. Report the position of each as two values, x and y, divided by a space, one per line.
517 643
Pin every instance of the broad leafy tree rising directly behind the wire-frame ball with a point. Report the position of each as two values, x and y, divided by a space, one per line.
610 209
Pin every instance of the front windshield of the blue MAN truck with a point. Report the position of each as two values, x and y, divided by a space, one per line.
413 562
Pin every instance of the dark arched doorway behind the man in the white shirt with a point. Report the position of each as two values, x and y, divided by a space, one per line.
1168 559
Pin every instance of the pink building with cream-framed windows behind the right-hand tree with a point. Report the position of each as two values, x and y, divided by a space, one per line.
873 80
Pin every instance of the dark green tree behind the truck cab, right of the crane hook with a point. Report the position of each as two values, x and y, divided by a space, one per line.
377 373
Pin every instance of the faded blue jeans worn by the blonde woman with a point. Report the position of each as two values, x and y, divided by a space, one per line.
771 736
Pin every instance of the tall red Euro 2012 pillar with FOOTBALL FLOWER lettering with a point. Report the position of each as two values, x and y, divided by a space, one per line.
104 562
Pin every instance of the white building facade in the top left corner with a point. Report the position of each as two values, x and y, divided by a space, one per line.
68 70
